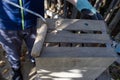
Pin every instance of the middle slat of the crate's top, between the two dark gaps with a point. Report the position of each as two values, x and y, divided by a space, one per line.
77 38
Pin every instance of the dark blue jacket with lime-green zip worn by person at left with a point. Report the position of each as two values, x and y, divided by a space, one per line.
10 16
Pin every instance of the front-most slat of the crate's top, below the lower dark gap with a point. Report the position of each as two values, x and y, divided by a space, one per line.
77 52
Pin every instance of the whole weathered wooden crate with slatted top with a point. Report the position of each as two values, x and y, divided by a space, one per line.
74 49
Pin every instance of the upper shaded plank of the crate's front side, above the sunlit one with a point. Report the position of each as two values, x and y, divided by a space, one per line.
61 63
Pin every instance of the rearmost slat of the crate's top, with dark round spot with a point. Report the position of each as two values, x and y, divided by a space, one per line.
77 24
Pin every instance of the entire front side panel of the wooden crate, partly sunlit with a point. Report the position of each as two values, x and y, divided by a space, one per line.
71 68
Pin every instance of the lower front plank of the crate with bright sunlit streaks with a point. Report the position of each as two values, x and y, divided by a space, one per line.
67 74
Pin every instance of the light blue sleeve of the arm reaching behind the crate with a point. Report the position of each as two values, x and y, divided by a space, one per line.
84 4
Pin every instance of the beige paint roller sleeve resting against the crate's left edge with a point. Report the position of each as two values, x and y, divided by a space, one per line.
39 41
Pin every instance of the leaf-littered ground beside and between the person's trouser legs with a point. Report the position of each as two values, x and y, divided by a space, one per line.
28 69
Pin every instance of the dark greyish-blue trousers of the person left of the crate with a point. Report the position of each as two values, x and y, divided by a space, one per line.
12 40
